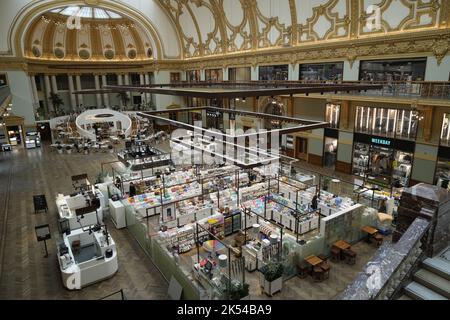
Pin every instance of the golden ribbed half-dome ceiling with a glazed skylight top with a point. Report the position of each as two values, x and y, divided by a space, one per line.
84 33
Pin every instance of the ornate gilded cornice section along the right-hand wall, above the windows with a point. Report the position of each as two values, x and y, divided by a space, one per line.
435 42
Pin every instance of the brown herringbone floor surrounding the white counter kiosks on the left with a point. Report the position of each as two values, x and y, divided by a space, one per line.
25 273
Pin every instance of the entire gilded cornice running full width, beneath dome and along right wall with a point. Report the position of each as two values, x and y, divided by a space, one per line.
423 43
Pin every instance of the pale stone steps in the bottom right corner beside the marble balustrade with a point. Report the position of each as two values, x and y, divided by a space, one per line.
431 281
